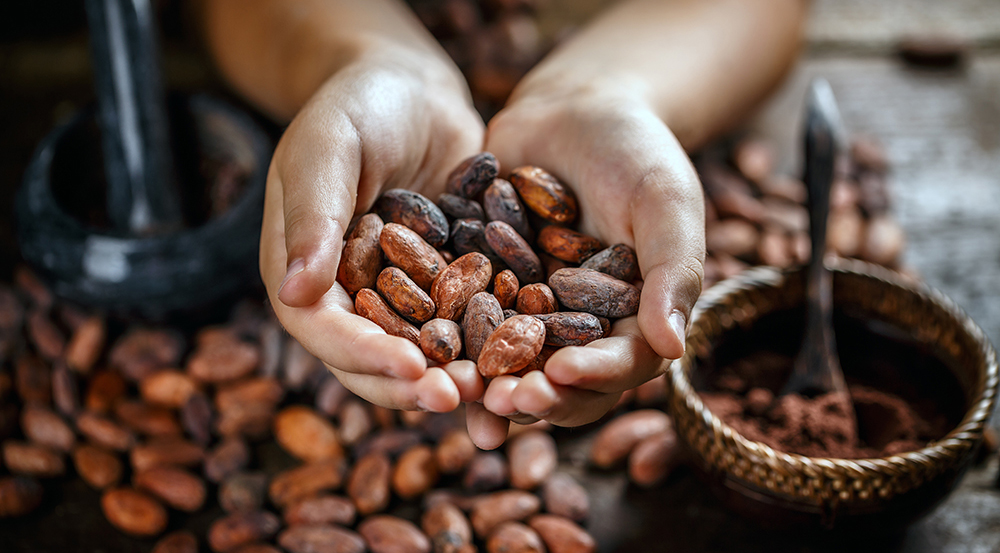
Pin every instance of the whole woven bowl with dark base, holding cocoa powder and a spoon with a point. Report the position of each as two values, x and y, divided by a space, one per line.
787 490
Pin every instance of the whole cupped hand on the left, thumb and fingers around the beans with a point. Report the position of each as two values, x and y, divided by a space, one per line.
386 121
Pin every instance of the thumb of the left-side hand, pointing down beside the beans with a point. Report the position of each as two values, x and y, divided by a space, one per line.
319 179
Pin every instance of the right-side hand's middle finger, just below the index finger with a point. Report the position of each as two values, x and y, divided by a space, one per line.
560 405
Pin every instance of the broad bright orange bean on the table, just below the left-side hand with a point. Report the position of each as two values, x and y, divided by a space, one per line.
306 435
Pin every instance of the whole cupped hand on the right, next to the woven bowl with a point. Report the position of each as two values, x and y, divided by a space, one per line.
635 185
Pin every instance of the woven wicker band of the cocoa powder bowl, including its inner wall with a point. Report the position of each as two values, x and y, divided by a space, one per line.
821 482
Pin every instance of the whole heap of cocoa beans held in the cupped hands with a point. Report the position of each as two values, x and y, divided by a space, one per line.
462 278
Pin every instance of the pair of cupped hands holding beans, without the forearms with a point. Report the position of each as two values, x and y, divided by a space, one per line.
399 121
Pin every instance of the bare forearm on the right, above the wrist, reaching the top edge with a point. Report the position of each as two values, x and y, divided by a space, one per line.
699 64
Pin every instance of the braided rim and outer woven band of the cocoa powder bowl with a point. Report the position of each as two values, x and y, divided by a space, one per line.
823 481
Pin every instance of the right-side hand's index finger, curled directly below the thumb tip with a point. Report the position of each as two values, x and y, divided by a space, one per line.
620 362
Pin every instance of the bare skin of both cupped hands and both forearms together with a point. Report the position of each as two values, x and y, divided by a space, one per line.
375 103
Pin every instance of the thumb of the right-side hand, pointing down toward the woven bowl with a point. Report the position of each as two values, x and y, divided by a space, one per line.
671 255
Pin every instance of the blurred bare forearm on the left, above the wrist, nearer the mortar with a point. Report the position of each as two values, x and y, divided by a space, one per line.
277 53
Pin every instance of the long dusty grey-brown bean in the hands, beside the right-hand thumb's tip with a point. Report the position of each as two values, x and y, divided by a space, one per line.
594 292
